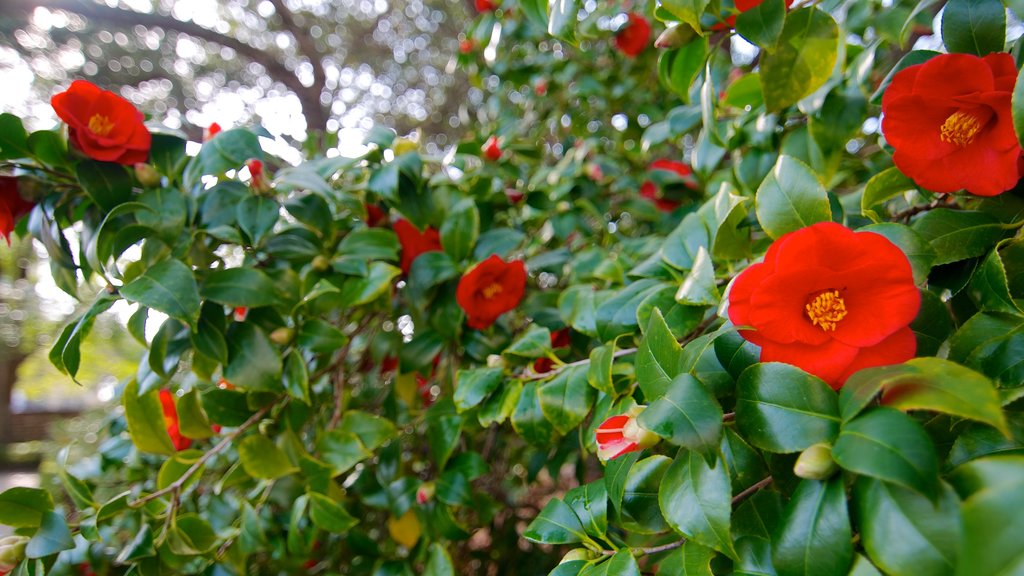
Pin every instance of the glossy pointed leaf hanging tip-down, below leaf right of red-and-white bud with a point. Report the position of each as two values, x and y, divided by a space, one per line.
697 500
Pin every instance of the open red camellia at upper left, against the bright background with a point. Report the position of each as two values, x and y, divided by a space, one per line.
102 125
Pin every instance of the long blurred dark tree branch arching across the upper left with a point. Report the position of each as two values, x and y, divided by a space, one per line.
92 11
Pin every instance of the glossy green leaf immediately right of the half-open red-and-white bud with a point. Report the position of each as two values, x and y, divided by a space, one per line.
688 416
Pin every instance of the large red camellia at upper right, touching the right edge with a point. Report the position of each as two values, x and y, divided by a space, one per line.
950 122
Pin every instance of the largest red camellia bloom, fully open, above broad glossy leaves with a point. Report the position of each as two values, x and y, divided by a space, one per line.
829 301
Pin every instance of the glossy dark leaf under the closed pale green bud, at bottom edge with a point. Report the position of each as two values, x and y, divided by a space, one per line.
816 537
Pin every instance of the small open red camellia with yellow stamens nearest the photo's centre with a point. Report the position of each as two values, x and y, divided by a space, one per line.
490 290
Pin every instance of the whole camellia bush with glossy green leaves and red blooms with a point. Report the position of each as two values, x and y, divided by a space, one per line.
743 300
